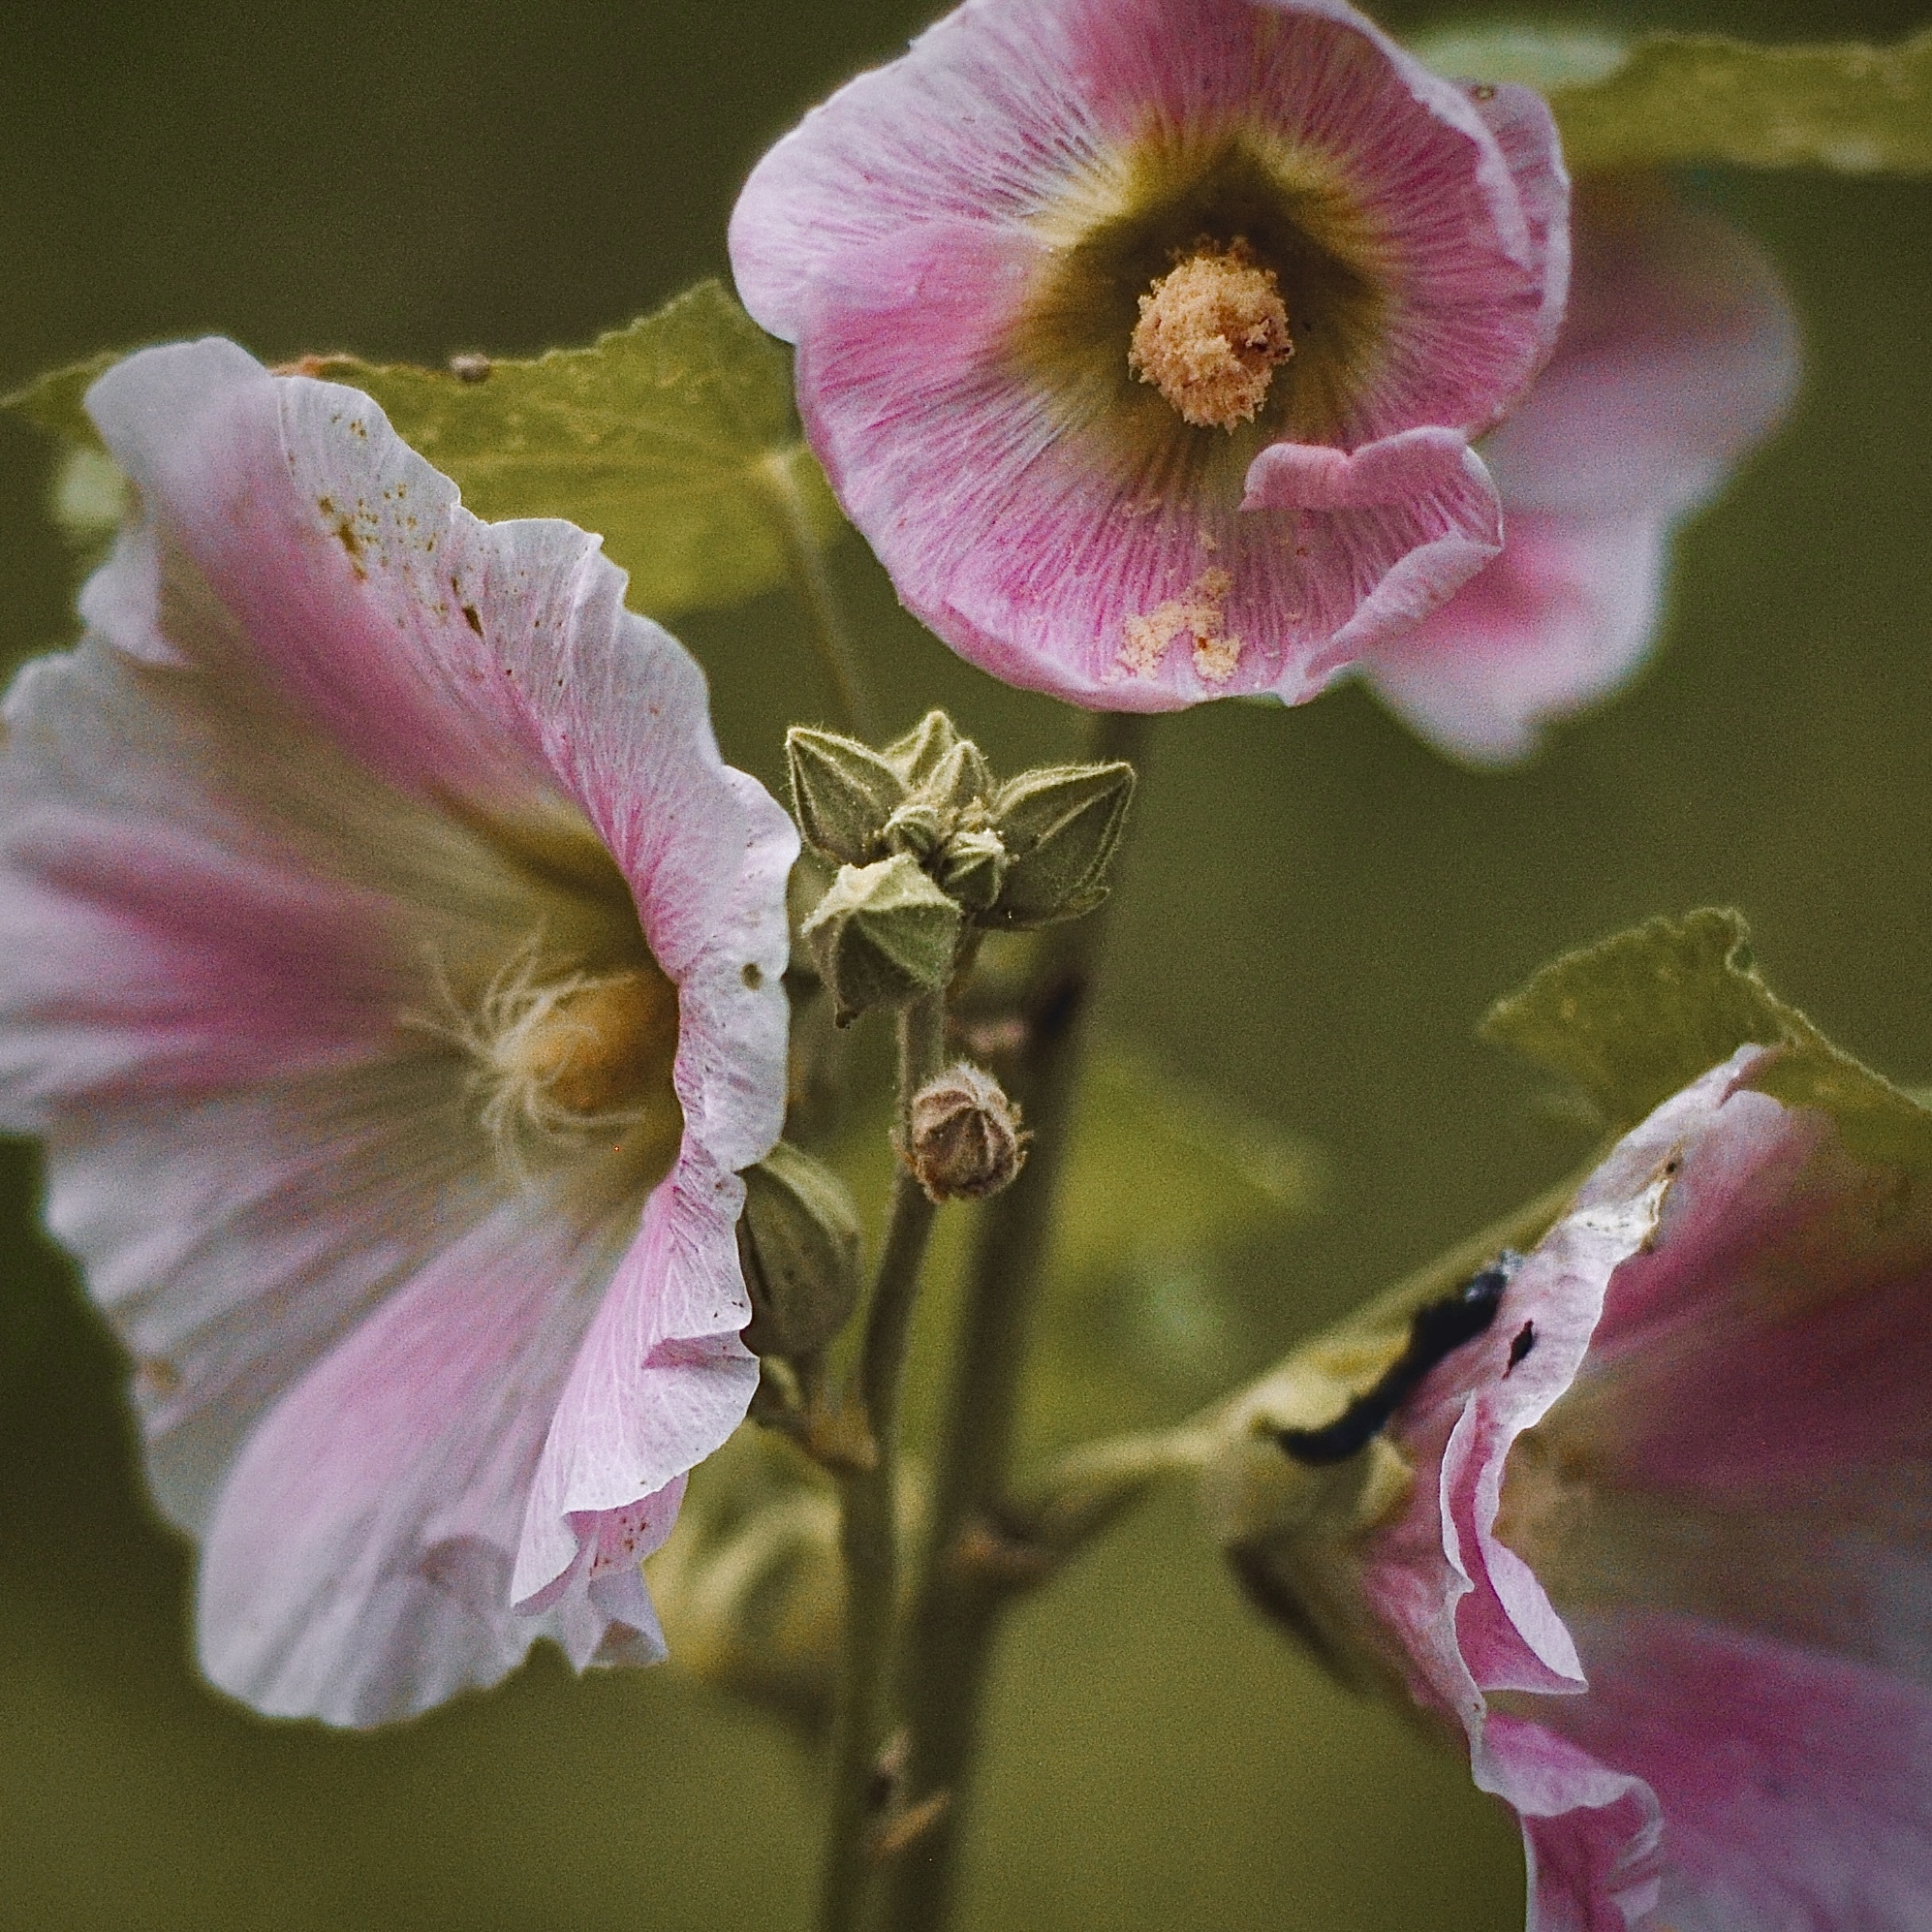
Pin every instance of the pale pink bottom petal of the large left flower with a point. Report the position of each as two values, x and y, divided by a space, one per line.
358 1562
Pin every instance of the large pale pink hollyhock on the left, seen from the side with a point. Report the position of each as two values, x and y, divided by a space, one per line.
393 969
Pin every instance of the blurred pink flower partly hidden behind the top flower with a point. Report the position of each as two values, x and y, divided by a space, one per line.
1680 353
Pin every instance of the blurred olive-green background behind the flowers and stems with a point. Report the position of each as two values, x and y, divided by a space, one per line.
1317 915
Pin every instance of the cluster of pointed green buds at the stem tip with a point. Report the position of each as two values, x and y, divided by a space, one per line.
932 851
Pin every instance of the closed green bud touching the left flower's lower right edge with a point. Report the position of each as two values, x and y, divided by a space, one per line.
799 1241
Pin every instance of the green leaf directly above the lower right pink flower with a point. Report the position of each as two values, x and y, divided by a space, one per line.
1637 1017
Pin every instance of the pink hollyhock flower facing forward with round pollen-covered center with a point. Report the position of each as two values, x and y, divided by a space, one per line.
1147 339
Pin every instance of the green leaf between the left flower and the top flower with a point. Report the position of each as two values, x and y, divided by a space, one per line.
675 440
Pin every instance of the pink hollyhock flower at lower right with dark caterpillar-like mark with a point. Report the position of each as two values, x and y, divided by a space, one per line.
1657 1537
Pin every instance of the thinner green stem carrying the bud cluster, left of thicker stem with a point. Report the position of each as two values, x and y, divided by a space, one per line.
870 1502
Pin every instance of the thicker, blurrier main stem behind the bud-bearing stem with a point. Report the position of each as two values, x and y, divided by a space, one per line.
957 1606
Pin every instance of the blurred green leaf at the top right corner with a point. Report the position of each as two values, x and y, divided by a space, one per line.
1674 98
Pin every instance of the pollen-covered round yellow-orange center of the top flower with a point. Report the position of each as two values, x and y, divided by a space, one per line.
1210 335
